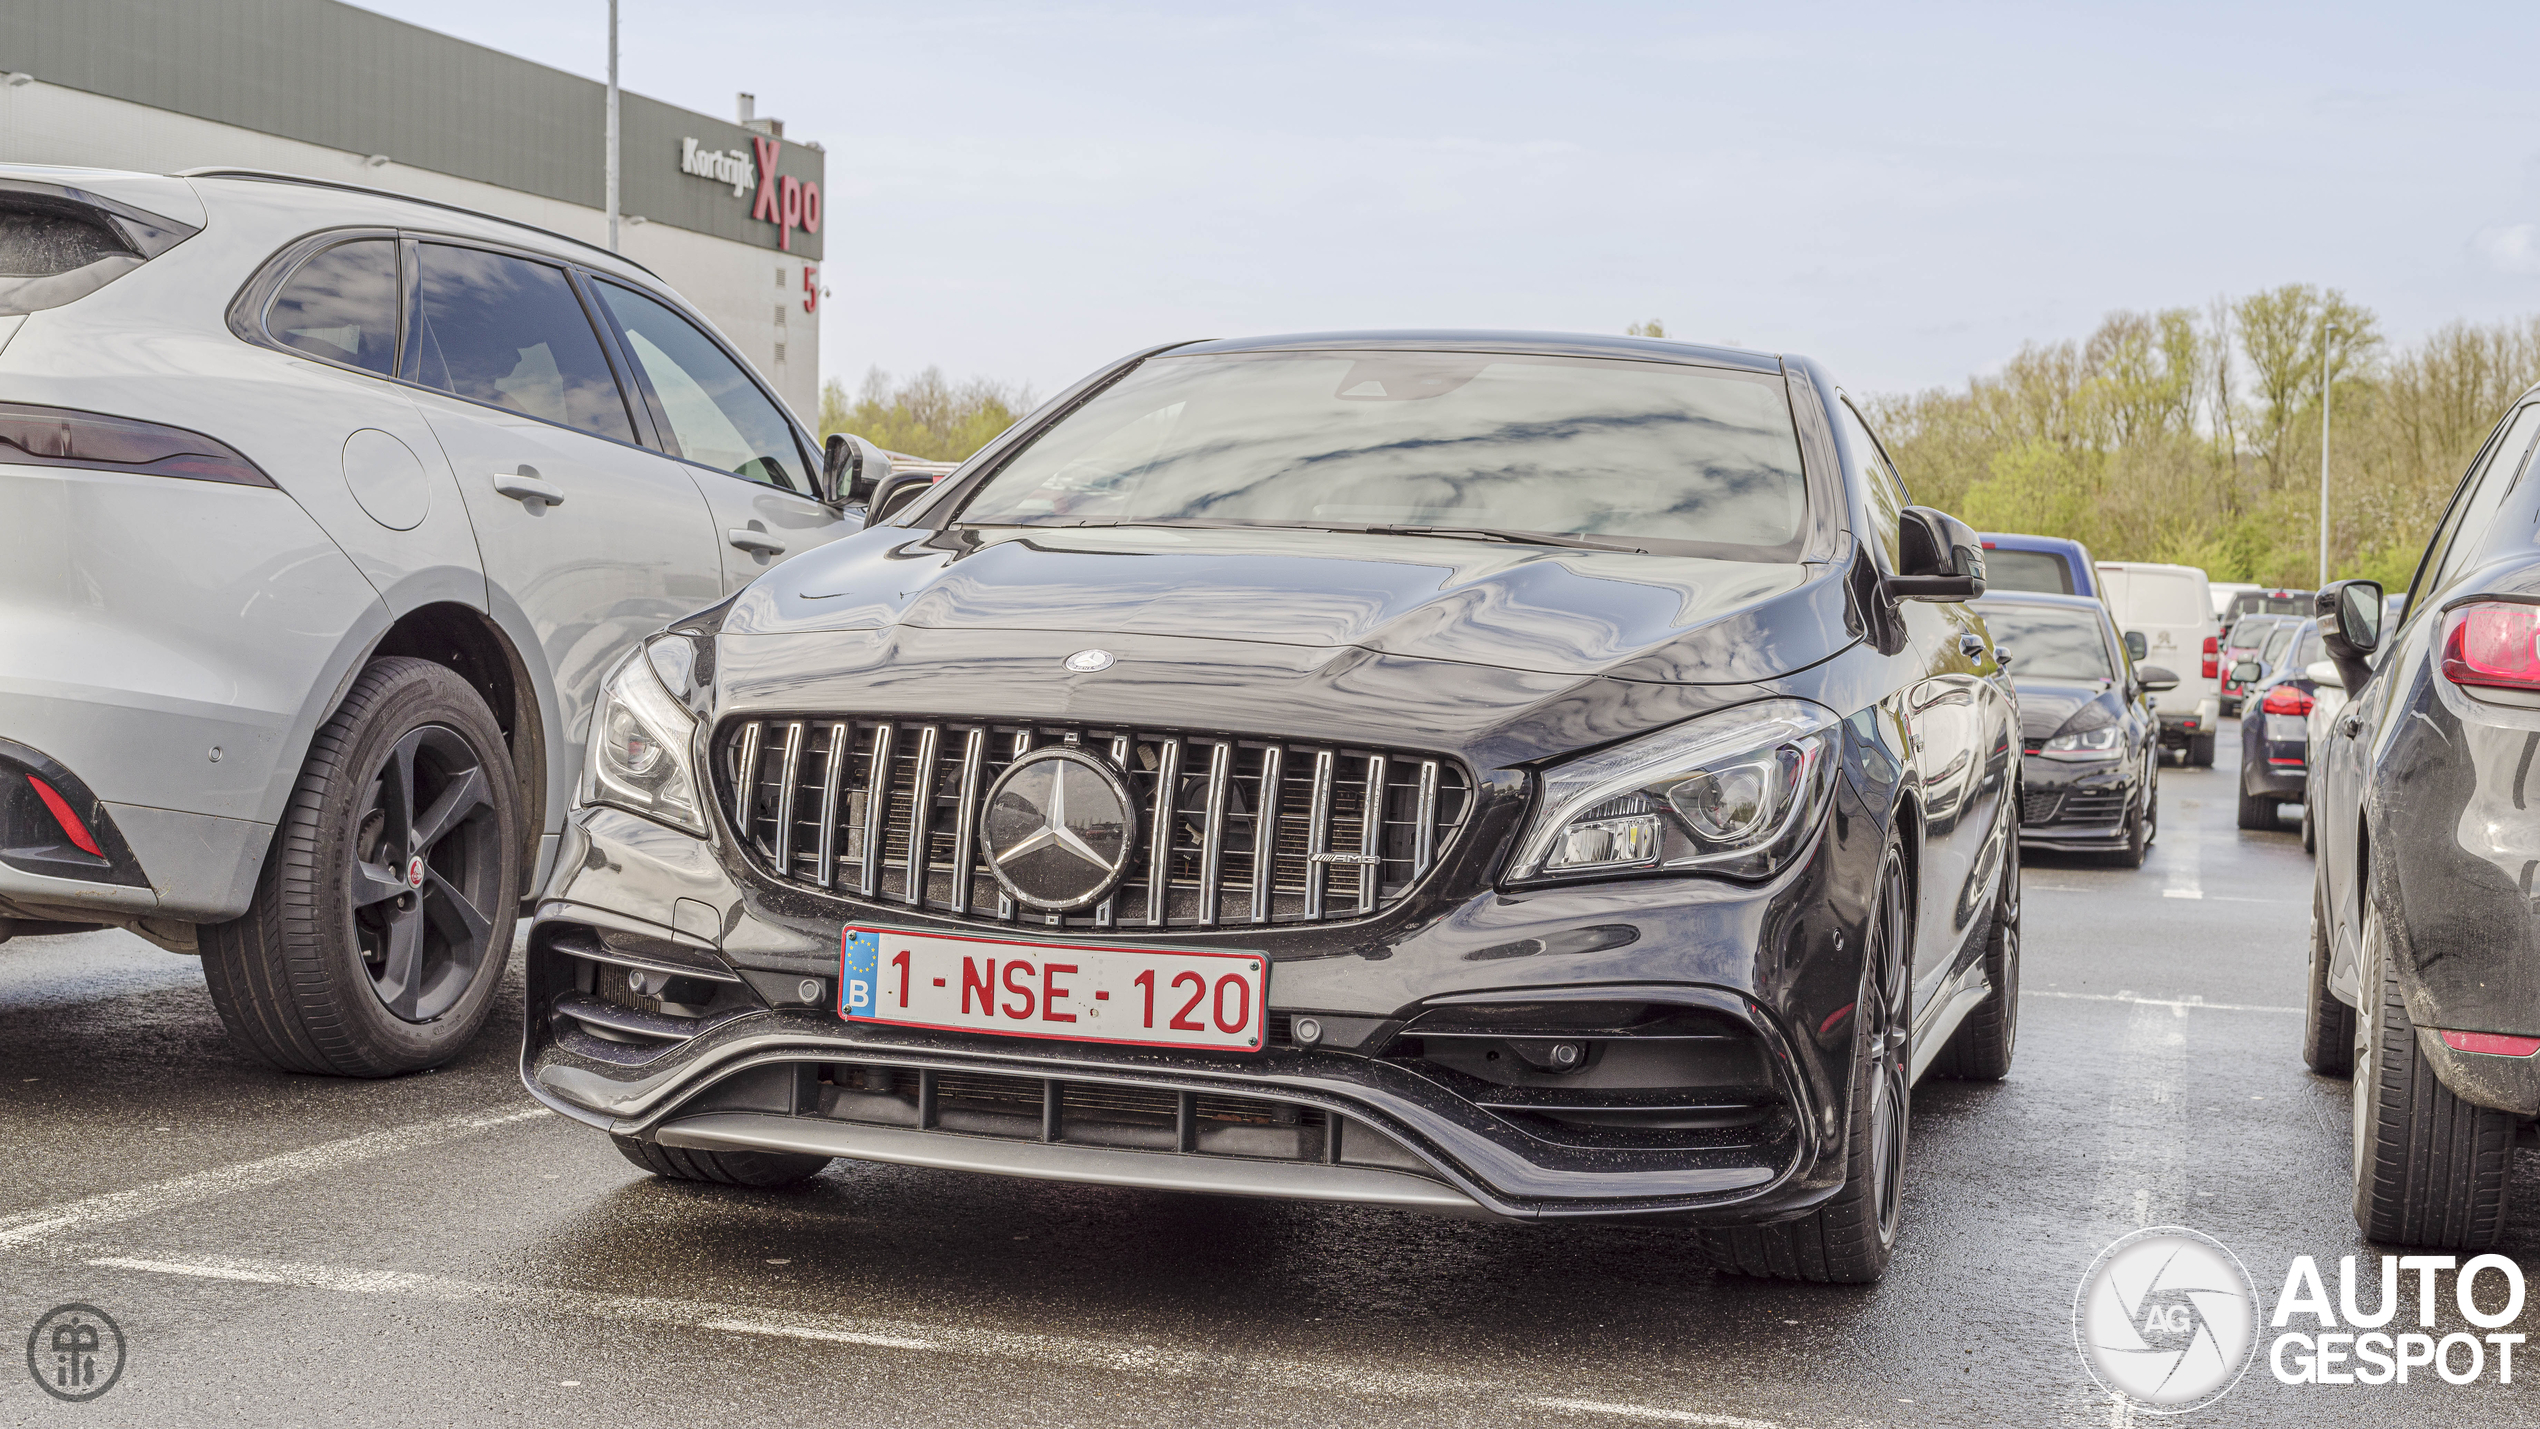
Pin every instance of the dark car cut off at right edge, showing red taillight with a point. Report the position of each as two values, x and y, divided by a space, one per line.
2424 973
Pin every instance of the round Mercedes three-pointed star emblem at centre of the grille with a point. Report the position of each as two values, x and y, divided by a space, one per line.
1058 829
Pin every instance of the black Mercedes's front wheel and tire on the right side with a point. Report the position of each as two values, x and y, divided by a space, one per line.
1850 1237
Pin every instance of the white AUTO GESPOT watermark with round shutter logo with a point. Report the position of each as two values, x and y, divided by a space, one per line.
2170 1321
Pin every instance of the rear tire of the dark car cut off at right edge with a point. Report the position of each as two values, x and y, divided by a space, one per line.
2430 1169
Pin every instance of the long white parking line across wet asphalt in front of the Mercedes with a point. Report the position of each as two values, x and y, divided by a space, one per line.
1327 1374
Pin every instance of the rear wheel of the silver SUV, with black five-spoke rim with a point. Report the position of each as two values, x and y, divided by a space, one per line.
382 920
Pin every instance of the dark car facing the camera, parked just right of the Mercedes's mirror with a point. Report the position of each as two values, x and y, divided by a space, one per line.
2092 742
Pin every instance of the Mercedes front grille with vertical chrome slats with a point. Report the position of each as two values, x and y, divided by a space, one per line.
1218 831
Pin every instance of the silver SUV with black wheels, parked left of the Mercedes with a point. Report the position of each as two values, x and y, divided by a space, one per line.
326 514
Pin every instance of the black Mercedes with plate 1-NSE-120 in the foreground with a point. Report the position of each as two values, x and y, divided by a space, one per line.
1500 775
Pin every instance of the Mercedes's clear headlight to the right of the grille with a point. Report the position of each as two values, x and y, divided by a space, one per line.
1728 793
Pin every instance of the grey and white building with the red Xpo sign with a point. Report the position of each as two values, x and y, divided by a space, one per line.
728 212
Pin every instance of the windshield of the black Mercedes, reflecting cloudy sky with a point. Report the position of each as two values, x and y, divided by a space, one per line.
1645 456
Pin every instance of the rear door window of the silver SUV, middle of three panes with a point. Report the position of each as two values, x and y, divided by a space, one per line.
512 334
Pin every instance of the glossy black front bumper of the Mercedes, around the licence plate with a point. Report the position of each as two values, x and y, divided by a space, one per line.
773 1067
